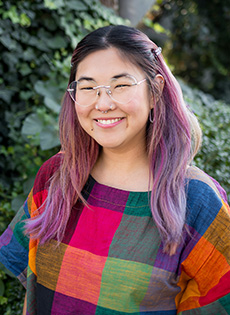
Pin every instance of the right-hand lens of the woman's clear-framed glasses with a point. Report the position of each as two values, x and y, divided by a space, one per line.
123 89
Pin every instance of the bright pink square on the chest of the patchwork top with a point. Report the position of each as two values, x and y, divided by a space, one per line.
95 230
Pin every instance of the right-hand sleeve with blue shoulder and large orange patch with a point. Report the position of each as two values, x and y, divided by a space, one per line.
205 272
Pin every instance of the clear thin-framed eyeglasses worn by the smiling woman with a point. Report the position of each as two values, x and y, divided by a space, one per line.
86 91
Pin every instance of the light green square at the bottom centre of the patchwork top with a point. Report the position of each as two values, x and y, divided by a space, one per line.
124 284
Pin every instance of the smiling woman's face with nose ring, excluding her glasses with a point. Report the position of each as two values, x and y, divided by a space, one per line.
123 126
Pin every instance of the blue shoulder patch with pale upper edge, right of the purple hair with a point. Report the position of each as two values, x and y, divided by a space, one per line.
205 199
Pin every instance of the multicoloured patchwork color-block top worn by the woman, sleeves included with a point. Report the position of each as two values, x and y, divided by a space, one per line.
111 261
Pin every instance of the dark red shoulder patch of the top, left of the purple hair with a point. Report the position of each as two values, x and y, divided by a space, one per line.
46 172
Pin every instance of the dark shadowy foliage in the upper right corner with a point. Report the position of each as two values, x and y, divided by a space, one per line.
197 42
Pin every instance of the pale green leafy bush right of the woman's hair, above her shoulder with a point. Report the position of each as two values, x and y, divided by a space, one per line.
214 118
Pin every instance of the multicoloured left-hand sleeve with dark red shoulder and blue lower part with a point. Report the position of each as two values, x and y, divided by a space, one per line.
14 243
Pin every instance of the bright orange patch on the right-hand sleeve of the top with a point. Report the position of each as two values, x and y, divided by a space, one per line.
201 271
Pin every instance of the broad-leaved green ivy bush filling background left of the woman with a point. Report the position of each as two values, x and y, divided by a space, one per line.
34 71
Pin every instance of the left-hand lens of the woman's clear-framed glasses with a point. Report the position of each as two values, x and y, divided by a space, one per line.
83 92
